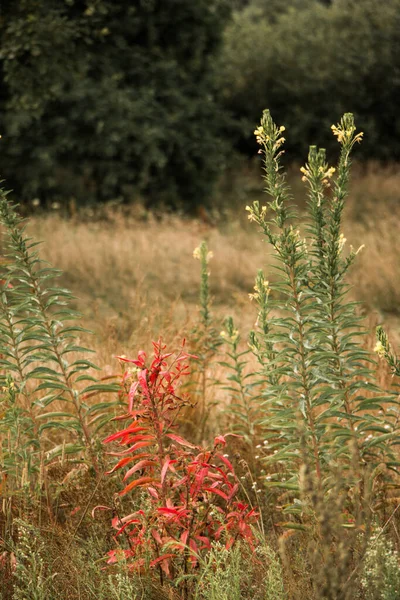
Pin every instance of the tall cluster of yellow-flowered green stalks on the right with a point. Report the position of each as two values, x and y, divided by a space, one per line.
318 394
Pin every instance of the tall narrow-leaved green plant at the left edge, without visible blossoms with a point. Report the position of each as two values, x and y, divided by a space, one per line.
39 346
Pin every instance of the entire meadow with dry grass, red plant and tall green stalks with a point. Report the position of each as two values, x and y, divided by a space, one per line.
267 445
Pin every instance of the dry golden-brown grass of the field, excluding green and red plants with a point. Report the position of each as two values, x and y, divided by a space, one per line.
135 279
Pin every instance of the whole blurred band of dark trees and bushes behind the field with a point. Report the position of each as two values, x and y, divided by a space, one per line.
155 100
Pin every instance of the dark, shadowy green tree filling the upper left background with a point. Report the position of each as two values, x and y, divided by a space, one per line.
106 98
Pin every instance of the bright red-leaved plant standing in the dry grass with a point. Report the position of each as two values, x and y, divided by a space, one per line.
192 491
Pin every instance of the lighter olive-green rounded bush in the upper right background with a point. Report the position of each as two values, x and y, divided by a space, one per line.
314 61
